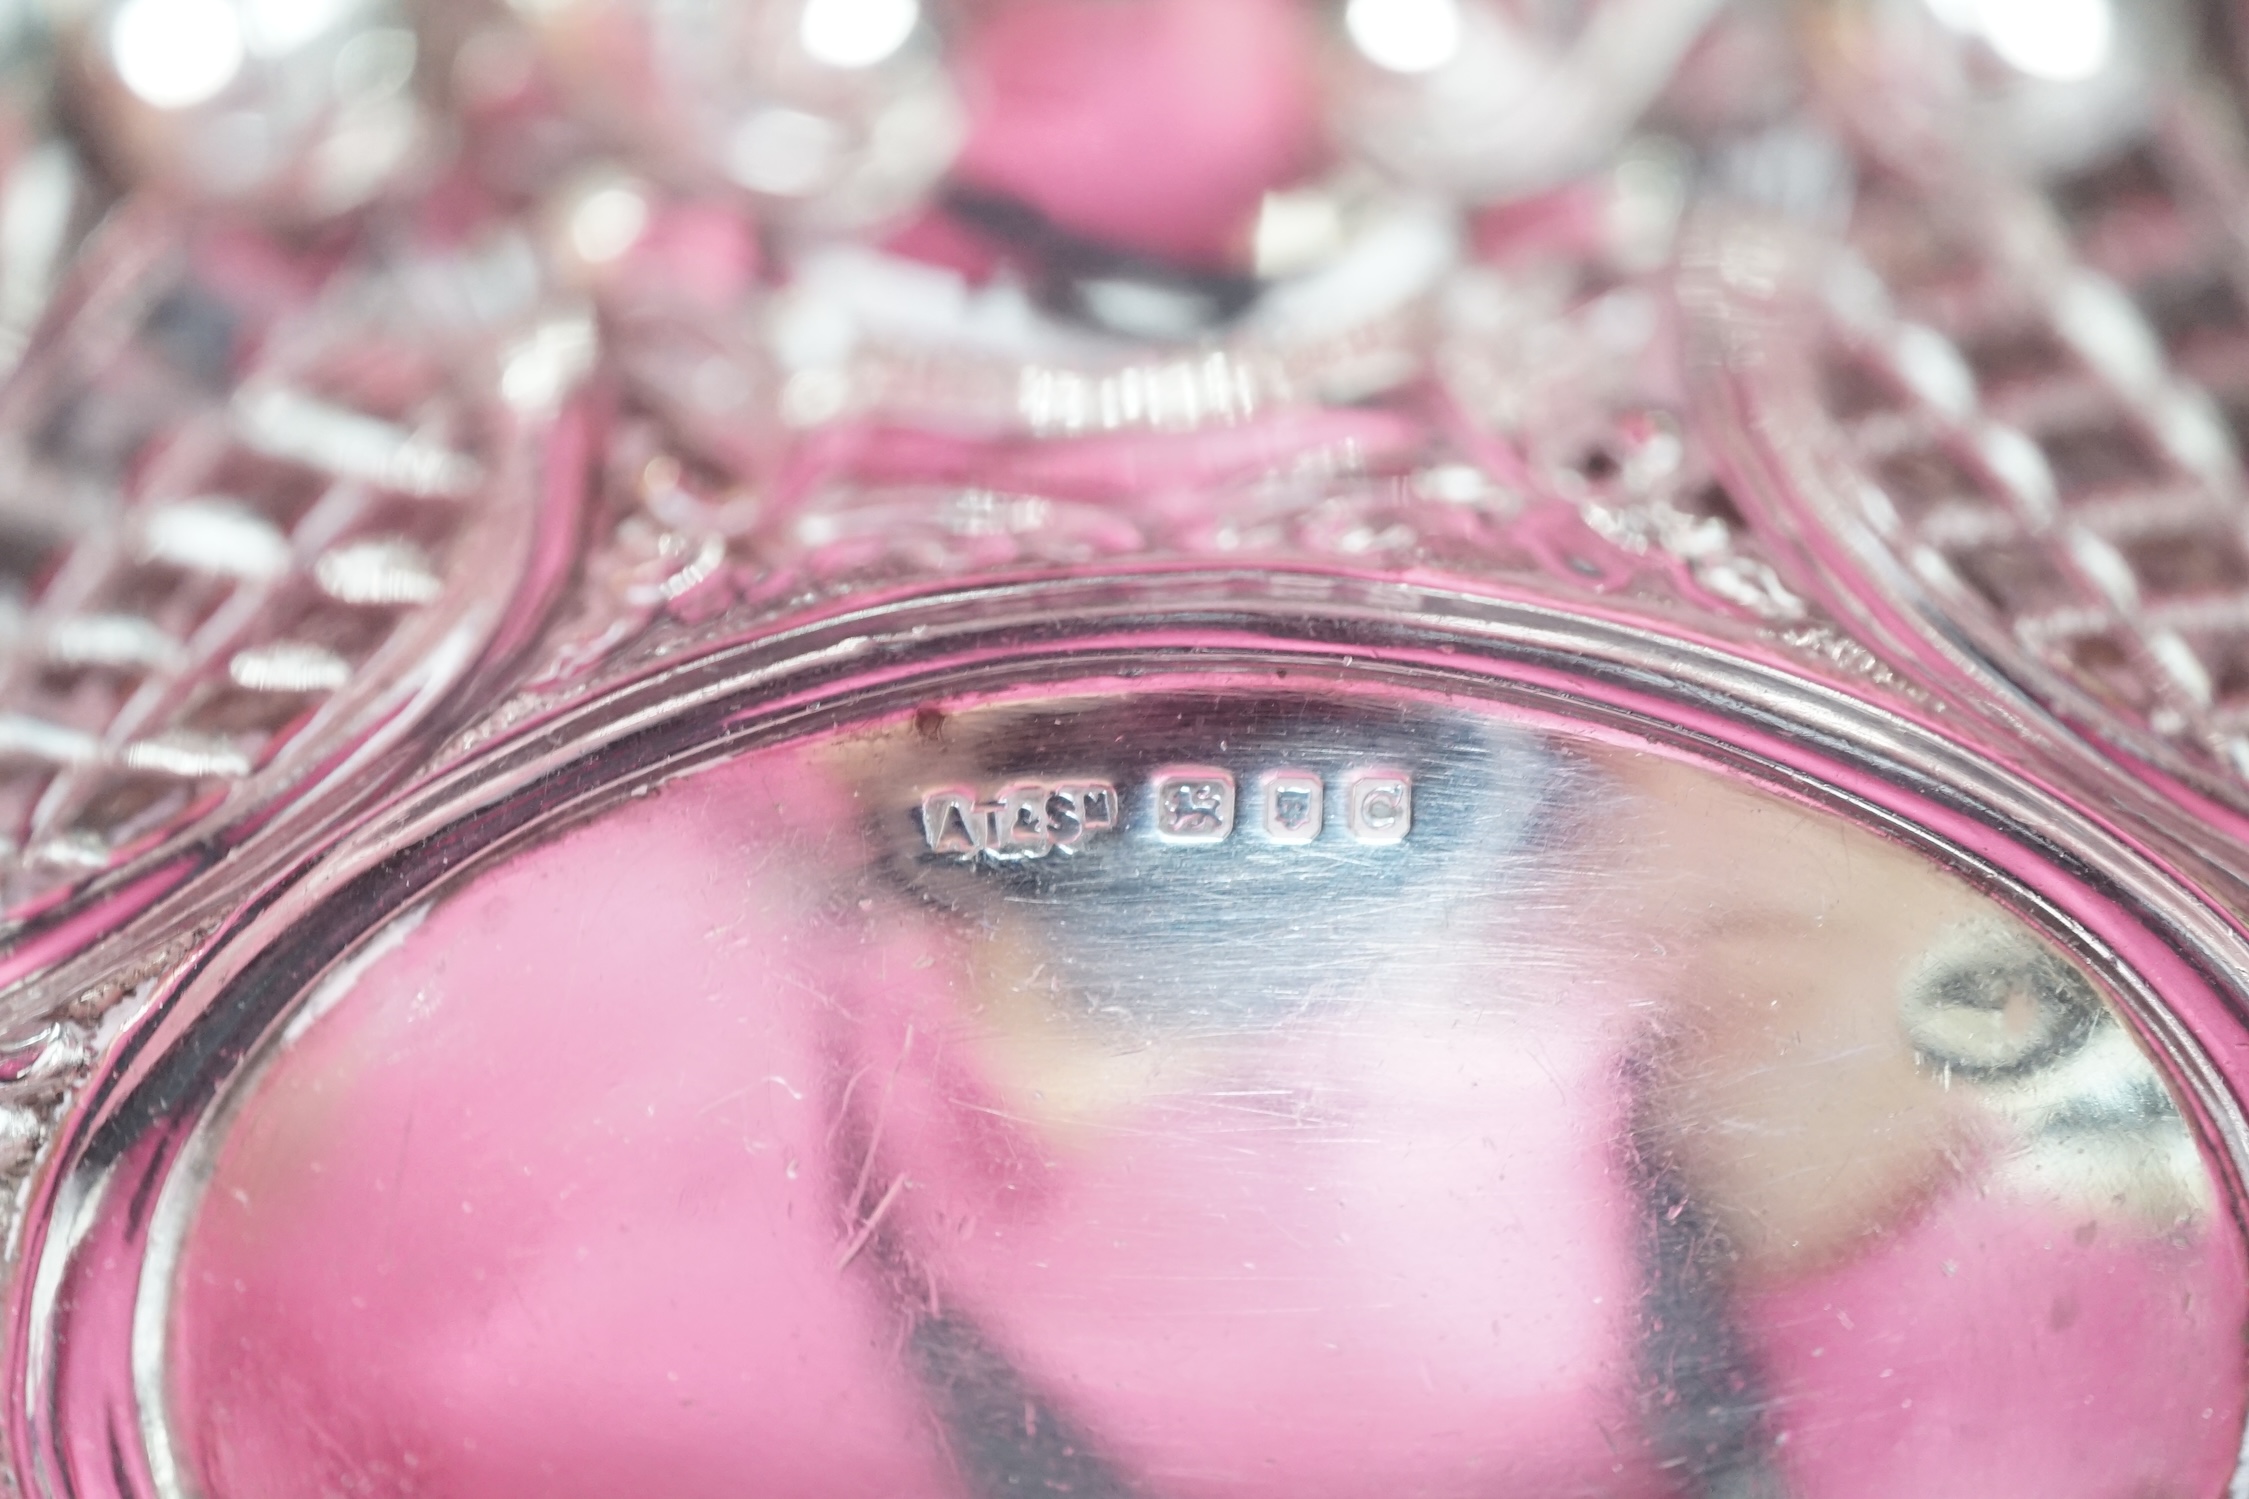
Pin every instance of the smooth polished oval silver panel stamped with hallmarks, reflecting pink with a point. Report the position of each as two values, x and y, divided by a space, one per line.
1641 1120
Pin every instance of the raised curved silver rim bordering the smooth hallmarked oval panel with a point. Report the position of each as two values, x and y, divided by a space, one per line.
2178 965
